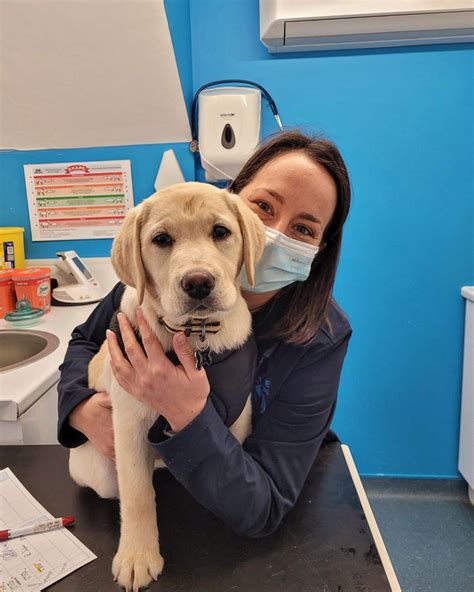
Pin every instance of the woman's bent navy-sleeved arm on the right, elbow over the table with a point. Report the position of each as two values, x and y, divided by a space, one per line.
252 487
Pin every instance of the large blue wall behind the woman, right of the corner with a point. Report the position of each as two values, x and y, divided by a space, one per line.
403 121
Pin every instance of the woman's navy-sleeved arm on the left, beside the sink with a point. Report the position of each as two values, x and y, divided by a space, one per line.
73 386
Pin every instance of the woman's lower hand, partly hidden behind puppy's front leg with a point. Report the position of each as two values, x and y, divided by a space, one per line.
93 417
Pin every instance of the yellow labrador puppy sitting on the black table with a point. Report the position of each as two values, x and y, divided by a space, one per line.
179 252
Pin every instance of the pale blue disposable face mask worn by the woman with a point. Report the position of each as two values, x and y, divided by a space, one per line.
284 261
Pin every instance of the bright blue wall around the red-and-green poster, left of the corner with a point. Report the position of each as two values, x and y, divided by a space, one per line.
145 159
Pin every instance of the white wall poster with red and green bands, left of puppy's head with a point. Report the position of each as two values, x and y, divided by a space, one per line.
78 200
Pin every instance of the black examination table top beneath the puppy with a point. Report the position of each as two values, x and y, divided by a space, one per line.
323 545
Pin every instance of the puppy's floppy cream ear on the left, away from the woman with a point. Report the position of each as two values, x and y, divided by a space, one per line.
126 251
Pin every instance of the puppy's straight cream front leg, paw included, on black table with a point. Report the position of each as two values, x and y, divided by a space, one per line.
138 560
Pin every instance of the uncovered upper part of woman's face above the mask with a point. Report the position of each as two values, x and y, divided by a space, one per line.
294 195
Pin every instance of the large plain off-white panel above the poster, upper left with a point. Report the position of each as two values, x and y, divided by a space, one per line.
89 73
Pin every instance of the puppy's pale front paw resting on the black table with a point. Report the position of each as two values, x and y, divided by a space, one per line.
134 568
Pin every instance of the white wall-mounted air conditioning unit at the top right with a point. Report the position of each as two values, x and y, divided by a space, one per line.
312 25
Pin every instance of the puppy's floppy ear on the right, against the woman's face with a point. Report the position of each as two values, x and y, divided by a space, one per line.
253 234
